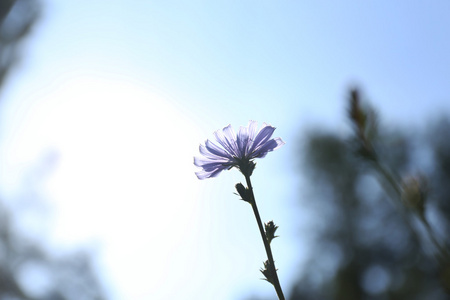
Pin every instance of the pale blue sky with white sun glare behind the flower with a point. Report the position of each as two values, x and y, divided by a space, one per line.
120 96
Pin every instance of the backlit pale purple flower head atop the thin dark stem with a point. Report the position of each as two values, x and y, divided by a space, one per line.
236 151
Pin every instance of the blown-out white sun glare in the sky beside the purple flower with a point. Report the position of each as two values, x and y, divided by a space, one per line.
124 178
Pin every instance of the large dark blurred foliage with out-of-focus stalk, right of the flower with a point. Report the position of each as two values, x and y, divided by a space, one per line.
382 202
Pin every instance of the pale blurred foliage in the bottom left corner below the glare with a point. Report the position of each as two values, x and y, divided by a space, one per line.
29 272
